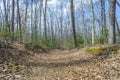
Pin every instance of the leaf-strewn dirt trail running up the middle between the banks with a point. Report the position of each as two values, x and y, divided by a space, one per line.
56 65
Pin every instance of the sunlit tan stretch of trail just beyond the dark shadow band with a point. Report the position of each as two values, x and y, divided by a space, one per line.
61 56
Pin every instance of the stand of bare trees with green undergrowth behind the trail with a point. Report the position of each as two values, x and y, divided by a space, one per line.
36 22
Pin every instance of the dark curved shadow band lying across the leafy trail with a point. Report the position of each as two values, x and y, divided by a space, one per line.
81 62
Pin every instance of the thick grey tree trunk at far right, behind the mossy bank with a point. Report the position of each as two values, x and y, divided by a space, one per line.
112 9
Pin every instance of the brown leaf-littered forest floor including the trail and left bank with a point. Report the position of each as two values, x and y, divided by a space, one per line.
18 64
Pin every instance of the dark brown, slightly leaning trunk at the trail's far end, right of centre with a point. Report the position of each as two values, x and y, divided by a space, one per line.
73 24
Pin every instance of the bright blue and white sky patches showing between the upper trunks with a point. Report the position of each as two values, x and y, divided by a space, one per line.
55 6
